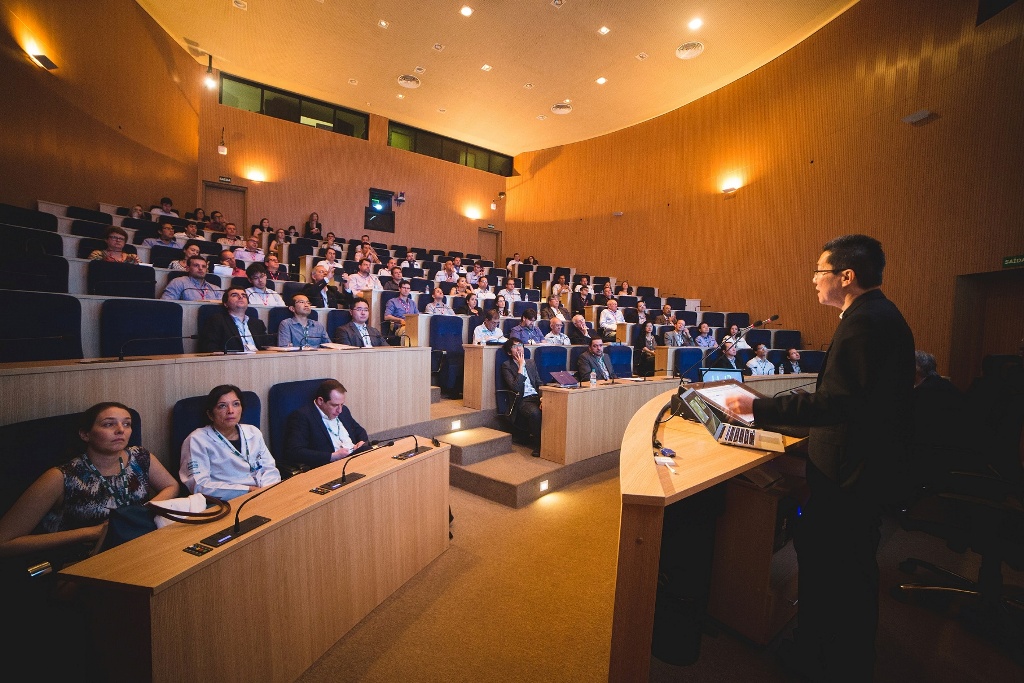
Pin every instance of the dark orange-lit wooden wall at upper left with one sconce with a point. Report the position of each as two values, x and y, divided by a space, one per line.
117 122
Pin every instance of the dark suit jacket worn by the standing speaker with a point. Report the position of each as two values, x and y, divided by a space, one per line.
861 413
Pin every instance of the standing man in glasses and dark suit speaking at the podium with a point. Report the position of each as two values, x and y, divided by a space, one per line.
859 419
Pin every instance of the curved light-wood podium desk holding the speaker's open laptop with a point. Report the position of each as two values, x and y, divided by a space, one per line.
647 489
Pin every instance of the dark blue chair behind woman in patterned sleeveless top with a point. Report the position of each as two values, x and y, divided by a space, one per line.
33 447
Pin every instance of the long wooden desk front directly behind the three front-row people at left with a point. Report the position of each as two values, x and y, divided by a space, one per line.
152 387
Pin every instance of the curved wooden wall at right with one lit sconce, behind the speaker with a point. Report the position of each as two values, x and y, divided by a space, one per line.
817 140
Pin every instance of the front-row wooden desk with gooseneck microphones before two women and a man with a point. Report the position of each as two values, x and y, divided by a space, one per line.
269 605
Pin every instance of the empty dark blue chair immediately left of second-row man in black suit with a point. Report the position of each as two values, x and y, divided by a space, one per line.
125 320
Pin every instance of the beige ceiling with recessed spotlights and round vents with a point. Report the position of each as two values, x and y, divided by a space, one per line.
316 48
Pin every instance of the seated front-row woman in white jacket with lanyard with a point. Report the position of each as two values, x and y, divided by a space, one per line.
227 459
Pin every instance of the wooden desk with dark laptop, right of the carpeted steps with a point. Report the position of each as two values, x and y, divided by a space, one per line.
584 423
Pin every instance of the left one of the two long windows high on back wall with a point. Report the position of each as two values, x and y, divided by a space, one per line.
260 99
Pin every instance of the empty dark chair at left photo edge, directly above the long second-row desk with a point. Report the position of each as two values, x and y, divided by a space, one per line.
50 327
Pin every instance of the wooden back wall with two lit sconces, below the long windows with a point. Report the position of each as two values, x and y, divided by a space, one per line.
316 170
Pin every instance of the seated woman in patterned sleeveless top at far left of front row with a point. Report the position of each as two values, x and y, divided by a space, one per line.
67 508
